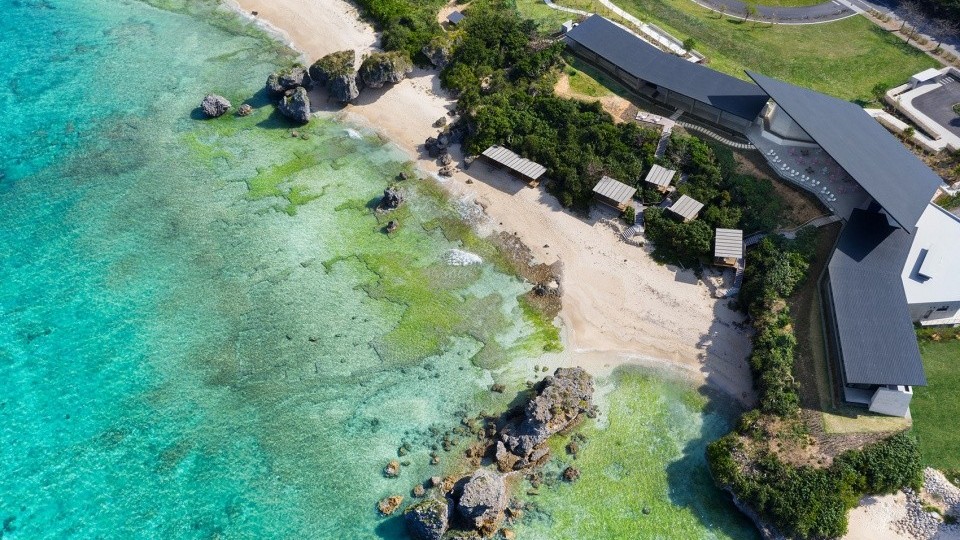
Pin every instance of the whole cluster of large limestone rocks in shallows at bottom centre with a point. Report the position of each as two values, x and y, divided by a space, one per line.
507 448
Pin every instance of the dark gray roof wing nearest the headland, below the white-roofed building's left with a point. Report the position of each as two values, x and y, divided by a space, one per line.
877 340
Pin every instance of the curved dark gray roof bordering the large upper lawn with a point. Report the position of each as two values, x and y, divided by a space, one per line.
644 61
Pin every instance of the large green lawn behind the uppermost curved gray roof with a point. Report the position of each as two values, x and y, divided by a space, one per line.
845 58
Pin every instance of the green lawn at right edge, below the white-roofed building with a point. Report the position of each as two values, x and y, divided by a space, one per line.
935 408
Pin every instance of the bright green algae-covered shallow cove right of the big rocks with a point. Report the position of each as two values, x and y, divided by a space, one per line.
643 474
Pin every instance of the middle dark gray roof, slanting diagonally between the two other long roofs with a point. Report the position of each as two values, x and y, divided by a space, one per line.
892 175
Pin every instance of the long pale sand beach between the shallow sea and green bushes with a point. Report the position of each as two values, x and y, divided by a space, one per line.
619 306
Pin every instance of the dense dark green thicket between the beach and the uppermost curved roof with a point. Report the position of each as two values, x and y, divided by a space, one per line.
502 74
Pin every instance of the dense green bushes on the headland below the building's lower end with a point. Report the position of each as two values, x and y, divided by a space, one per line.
810 502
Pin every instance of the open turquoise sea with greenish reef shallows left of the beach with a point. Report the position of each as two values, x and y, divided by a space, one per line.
205 333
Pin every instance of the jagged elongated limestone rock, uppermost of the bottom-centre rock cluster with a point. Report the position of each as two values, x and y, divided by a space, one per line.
561 399
